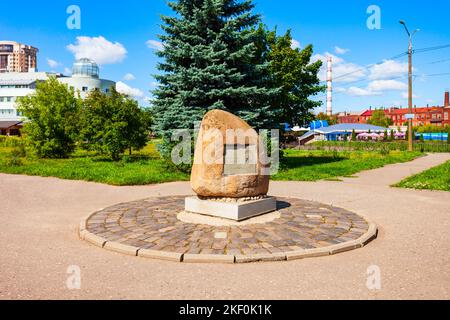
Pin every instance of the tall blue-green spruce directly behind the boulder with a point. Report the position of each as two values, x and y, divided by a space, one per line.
210 61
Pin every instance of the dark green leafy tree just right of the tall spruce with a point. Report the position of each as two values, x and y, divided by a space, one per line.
292 71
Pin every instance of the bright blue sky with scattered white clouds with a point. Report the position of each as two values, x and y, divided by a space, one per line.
120 32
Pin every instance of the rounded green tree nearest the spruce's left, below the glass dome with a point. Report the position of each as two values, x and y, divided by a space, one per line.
112 123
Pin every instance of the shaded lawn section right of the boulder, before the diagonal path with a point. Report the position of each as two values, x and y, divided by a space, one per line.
328 165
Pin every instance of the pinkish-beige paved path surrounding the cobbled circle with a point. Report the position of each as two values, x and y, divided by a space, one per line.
38 236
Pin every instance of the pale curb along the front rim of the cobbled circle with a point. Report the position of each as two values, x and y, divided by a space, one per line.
98 241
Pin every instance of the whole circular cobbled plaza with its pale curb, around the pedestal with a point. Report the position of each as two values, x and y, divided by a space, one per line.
152 228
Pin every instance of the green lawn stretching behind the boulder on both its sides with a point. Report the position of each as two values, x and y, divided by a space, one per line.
146 167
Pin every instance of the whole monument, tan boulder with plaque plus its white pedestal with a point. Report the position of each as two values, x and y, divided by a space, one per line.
230 174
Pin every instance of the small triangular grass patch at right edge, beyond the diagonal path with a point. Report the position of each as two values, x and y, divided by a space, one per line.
434 179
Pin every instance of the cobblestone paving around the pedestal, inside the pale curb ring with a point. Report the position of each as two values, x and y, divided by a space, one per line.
153 224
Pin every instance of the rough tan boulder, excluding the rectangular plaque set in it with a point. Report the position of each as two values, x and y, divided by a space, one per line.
210 177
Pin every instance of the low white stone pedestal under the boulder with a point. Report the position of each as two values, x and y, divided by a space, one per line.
236 211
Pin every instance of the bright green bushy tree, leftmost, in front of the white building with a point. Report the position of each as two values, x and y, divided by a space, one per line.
53 117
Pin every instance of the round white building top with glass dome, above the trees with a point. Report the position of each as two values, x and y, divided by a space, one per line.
86 77
